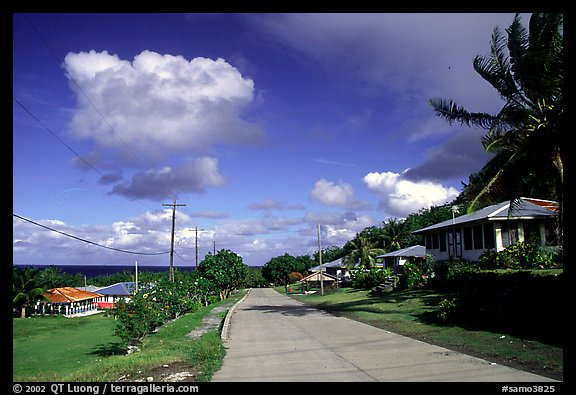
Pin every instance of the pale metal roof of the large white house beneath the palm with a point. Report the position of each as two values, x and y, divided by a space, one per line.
527 208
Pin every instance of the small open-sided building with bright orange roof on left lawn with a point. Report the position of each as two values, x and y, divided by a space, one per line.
68 301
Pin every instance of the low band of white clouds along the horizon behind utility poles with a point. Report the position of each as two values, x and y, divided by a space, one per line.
256 239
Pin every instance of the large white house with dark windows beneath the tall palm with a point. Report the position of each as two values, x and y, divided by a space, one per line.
494 227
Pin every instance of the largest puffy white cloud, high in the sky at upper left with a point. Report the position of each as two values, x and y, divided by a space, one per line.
158 104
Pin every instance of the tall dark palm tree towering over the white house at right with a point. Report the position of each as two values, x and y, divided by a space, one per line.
527 135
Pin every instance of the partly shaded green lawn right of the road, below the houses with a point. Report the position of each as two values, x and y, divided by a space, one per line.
412 313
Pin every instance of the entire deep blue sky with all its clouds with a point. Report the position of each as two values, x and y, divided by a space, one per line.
263 125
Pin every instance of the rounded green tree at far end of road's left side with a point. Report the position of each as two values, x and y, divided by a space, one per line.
226 270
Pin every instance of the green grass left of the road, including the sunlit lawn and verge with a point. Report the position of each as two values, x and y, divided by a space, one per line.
85 349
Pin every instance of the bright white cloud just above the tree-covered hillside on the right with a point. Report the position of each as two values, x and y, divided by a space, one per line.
401 196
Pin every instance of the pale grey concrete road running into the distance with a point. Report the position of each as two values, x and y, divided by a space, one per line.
272 337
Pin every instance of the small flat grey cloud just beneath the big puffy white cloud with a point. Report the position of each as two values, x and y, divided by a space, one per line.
194 175
